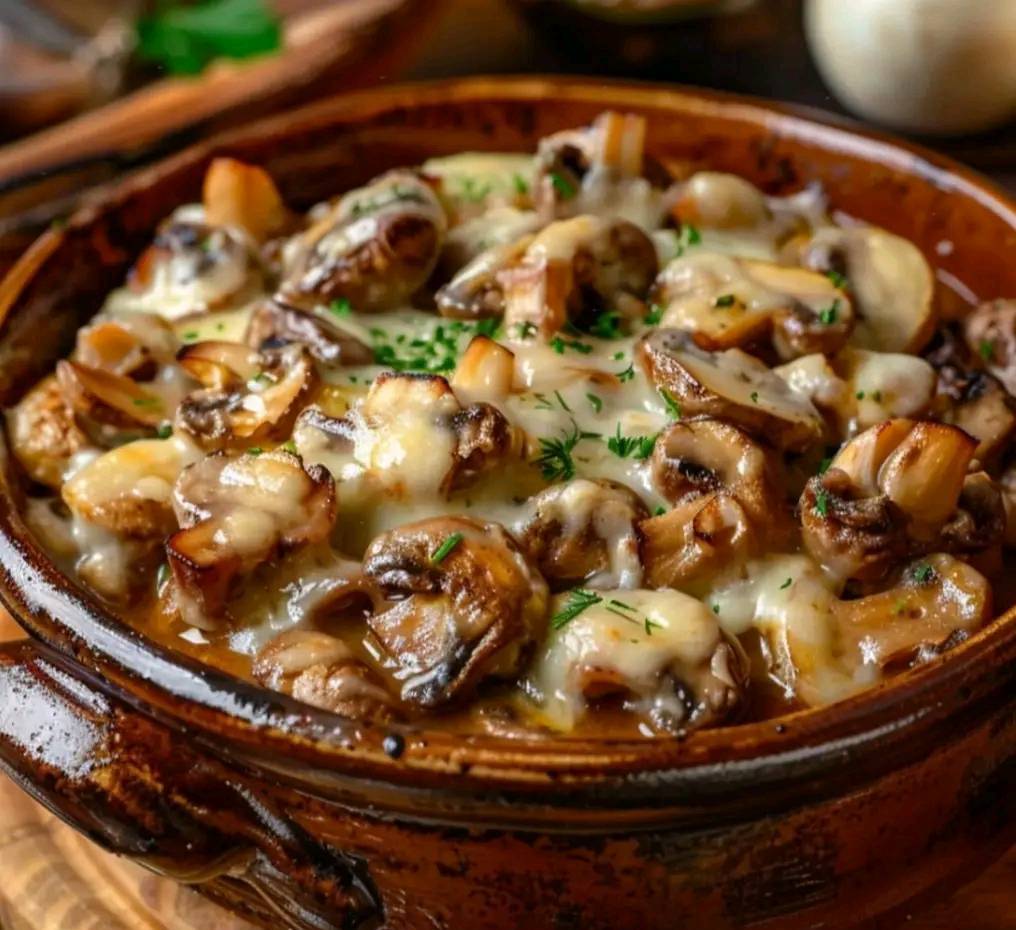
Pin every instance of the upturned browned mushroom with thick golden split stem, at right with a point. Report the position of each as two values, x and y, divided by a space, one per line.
898 490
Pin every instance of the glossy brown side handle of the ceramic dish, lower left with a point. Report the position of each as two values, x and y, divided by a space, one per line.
144 791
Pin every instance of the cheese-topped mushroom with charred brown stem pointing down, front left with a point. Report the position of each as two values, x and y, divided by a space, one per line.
236 515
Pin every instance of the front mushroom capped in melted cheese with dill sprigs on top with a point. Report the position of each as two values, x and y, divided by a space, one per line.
661 655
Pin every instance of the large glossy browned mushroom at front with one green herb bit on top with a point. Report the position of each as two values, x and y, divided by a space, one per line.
467 606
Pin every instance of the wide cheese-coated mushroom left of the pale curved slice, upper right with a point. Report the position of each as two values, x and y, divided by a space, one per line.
727 302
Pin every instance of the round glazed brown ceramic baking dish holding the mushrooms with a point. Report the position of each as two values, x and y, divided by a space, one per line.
829 818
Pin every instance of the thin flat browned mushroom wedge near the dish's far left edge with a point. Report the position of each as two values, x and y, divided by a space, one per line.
111 409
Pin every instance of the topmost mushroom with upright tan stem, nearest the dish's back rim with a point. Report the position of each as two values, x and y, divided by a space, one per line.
610 150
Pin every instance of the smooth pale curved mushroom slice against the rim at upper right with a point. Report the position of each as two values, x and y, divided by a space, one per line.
888 279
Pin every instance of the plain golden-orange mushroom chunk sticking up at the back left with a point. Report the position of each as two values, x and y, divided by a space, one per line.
242 196
